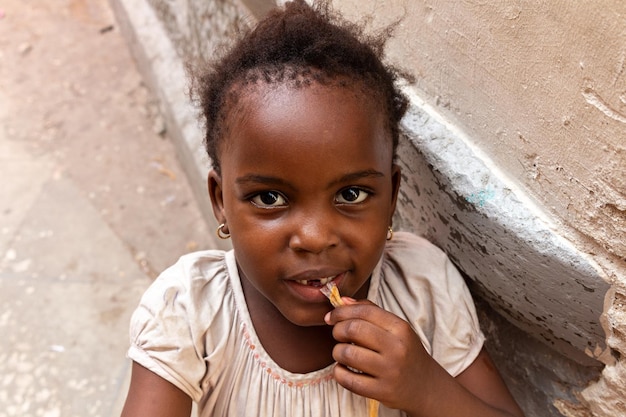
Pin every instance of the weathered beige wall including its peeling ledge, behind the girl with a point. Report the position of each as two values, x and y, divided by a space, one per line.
514 160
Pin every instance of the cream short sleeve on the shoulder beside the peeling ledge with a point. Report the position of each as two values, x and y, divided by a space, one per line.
420 284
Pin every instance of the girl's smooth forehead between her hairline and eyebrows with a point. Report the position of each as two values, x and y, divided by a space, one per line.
305 118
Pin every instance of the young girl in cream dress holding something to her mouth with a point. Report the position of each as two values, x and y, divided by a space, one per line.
302 127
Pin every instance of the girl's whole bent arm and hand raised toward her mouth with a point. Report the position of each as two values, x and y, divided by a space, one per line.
398 372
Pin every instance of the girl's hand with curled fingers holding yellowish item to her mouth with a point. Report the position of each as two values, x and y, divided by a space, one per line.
382 346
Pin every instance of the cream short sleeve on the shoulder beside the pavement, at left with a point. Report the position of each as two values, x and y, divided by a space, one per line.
165 334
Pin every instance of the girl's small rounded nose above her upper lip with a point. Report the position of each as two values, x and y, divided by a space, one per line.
313 235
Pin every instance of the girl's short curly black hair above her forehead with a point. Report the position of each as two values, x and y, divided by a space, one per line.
299 44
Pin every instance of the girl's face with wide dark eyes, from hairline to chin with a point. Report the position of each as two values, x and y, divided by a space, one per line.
307 191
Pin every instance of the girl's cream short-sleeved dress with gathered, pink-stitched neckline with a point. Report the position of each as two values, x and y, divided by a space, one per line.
193 328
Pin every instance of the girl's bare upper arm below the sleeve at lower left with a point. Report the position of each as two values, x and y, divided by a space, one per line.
151 395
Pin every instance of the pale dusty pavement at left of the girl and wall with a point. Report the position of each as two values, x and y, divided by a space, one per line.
93 204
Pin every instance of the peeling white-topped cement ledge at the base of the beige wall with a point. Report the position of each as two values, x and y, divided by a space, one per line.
527 271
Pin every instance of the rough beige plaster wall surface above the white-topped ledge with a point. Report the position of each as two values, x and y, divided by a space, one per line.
539 87
